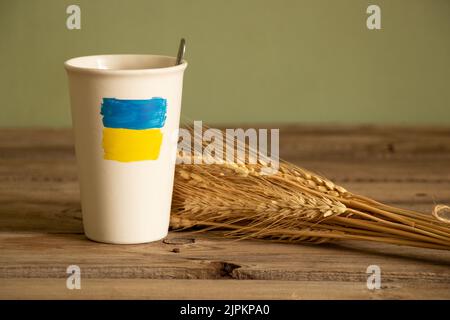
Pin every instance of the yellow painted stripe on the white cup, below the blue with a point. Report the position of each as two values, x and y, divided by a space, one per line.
127 145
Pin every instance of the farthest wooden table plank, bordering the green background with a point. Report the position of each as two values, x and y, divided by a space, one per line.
337 142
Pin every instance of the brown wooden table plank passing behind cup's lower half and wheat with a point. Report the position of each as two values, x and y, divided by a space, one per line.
46 196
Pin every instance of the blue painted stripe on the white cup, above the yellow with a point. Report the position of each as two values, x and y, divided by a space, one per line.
134 114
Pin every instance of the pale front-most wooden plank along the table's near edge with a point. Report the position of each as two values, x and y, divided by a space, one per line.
214 289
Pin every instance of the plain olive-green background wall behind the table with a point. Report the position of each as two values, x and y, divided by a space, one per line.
249 60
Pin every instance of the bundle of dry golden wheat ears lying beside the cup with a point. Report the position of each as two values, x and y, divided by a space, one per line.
293 205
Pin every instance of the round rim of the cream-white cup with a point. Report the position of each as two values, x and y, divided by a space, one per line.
69 65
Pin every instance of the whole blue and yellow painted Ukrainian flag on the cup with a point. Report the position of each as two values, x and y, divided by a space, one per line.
132 128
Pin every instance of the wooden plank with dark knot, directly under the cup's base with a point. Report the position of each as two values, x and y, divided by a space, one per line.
206 257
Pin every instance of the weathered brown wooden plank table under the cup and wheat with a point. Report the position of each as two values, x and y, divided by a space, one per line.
41 231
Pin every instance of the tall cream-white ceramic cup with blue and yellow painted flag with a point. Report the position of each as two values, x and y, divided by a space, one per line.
126 155
